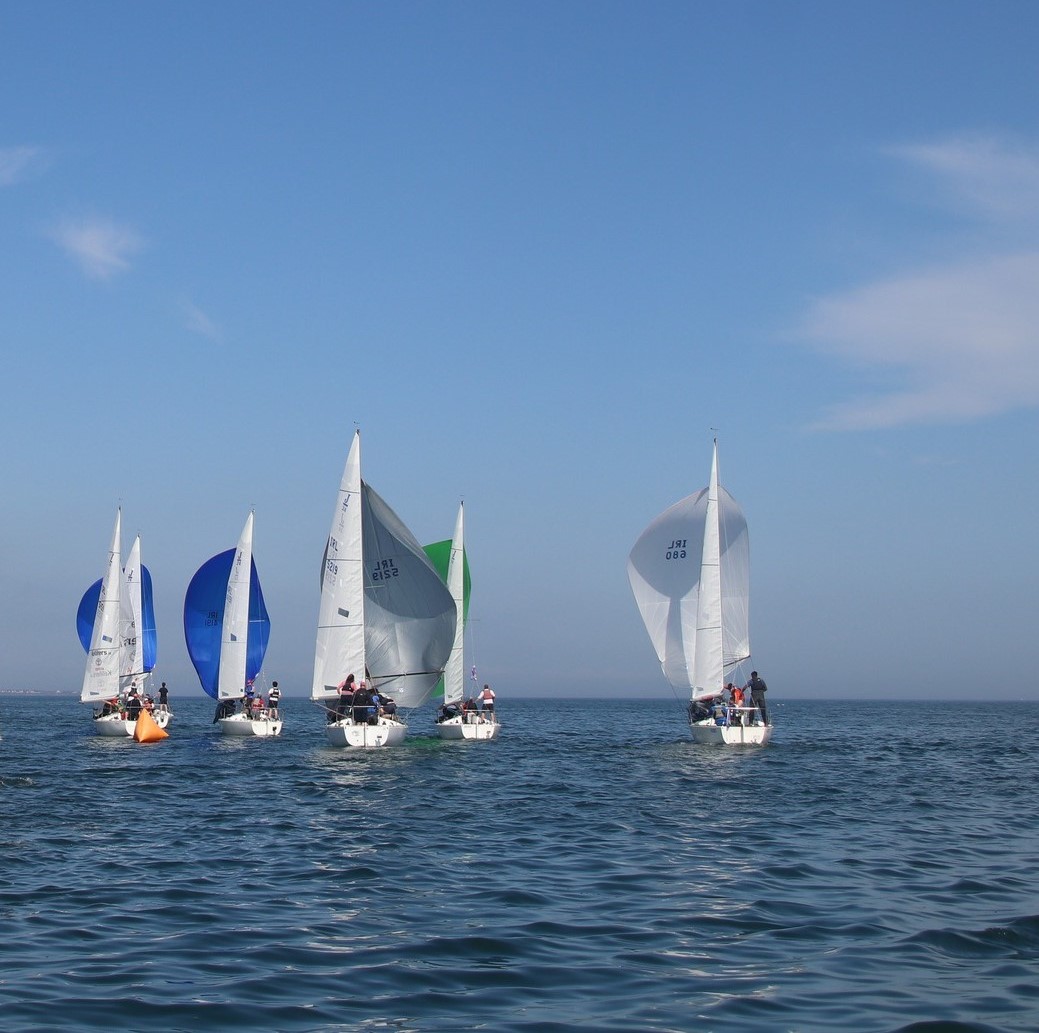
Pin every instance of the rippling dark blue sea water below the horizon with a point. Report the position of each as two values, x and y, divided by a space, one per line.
873 869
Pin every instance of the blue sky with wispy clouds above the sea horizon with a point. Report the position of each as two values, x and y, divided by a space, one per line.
537 252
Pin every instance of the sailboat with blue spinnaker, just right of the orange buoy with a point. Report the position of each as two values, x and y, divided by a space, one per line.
227 629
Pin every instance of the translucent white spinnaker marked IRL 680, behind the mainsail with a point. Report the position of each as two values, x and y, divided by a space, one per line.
664 571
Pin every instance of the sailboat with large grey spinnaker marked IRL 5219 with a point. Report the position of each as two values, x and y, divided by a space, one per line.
386 617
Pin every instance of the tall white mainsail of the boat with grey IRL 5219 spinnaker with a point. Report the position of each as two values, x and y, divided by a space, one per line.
340 647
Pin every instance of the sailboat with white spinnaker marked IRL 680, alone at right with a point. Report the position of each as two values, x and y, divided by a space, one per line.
690 575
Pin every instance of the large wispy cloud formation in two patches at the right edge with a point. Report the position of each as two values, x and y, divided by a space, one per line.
956 342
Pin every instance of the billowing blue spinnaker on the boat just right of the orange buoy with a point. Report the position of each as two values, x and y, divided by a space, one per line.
204 622
